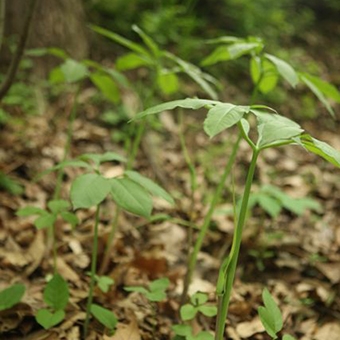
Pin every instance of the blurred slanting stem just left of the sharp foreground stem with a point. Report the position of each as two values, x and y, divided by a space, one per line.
207 219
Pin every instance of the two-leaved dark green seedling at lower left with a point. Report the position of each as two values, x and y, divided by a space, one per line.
56 296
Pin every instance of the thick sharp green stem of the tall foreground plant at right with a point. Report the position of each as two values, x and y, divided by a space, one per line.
224 299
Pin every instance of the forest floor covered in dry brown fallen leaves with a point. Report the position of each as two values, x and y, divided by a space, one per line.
297 257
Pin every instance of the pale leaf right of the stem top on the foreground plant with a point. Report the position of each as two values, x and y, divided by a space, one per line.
274 129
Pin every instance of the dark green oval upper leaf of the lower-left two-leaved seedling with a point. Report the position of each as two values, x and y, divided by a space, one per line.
56 293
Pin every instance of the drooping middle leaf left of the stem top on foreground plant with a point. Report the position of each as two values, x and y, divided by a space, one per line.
223 116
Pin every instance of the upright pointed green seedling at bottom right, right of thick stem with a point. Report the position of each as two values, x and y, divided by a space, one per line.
271 316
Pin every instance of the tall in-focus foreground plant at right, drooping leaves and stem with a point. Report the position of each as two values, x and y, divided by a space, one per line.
273 130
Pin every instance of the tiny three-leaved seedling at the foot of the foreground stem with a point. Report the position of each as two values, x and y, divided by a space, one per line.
198 304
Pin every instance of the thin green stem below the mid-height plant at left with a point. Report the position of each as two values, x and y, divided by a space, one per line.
93 271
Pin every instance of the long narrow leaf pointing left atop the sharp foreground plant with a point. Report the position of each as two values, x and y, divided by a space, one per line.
188 103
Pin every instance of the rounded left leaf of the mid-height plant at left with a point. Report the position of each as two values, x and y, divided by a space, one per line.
89 190
